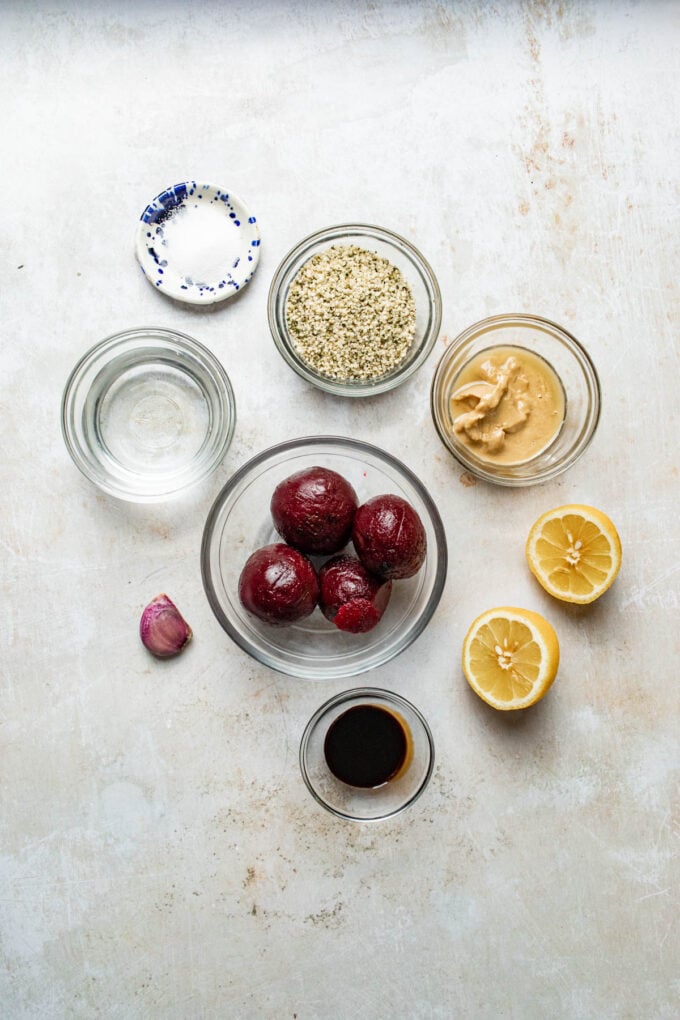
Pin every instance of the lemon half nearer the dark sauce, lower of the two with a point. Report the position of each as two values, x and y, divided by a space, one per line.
511 657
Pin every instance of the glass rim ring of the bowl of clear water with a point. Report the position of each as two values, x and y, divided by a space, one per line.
108 347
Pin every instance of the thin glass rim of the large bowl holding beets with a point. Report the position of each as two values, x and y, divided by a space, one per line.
242 473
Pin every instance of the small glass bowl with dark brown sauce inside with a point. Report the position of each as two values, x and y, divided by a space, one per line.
367 754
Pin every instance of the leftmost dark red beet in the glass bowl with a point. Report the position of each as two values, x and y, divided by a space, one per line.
279 585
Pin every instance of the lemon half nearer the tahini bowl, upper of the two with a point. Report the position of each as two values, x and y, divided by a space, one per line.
574 552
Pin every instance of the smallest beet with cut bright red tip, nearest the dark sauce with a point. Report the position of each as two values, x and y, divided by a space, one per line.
351 597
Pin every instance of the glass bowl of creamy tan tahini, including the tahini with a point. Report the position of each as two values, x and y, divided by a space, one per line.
516 399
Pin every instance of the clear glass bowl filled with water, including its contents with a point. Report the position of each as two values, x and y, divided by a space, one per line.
147 415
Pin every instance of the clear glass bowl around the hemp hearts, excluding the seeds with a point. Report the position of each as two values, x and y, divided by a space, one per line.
415 271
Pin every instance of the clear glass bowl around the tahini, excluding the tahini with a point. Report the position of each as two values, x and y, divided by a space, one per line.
574 369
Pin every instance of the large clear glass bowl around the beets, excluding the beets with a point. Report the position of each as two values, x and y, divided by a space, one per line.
240 523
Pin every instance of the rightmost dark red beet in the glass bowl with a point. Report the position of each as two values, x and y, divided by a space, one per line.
390 537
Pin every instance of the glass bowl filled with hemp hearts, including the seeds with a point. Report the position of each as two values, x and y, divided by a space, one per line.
355 310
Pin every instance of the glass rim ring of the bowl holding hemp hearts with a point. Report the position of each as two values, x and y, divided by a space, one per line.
347 388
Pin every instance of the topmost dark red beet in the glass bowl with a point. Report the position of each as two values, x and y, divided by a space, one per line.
315 509
